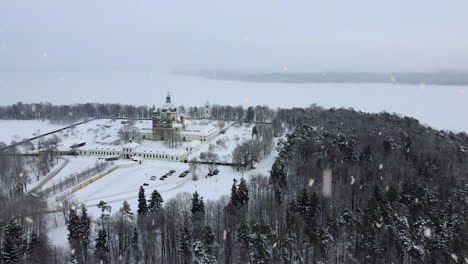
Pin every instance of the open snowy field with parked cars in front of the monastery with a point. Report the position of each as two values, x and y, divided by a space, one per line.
123 185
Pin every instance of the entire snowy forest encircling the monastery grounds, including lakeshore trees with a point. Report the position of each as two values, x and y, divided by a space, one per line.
346 187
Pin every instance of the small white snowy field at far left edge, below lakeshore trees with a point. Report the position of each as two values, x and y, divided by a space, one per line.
21 129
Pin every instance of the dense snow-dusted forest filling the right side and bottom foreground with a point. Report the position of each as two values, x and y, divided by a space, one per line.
347 187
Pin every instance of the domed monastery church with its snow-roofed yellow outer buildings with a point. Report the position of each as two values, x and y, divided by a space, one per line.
167 125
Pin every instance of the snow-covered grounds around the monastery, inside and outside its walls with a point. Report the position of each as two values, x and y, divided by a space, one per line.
123 184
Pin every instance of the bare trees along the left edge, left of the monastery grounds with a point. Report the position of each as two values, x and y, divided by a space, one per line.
23 233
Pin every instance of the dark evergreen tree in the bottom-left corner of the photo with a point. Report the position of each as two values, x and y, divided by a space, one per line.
14 244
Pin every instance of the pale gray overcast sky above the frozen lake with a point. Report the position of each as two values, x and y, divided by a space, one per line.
145 35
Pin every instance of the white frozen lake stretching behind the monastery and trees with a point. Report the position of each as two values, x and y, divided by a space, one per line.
443 107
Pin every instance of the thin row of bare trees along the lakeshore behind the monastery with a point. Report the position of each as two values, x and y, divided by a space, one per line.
75 112
